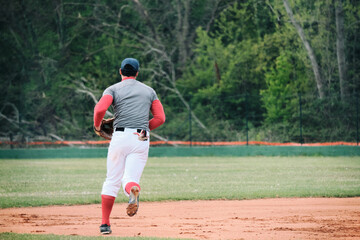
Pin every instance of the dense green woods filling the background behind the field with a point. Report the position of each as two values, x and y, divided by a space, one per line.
239 67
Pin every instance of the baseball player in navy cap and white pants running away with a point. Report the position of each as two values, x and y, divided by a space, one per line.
128 150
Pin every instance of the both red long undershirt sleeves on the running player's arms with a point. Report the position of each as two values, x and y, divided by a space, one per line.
157 111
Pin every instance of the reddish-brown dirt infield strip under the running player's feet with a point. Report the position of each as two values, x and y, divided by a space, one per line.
282 218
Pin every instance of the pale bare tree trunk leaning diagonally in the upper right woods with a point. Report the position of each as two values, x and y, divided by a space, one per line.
310 52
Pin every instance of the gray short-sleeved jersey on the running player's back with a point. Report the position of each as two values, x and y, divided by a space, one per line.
132 102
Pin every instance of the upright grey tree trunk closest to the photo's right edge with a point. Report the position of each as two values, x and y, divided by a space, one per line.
340 47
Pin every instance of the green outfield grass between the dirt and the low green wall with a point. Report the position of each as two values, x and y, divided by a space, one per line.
32 182
